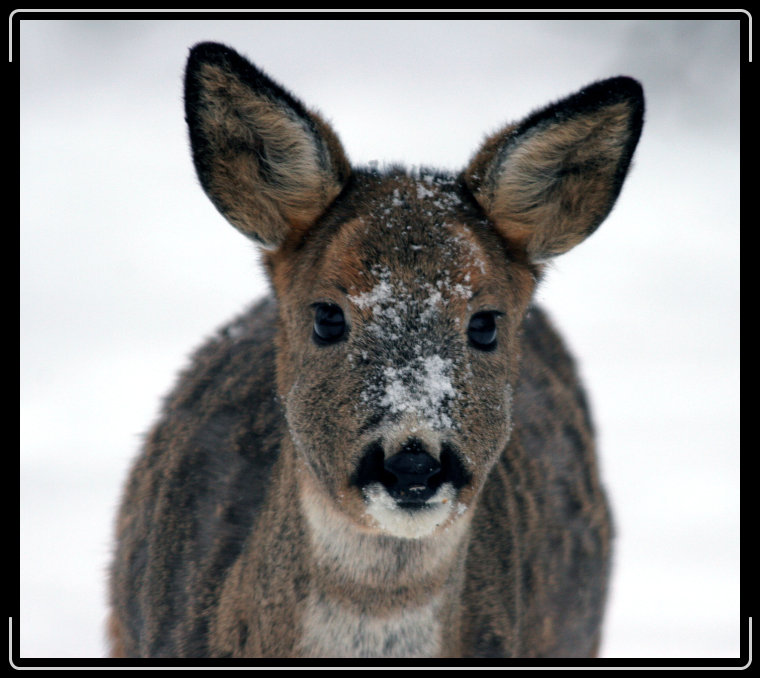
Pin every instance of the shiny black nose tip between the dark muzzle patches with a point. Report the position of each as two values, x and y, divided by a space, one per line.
412 474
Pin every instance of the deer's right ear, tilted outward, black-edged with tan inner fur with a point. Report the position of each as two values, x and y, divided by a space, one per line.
550 180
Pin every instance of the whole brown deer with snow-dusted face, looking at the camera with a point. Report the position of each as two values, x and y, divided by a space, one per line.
391 454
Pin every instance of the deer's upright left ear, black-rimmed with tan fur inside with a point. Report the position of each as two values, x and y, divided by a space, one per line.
269 166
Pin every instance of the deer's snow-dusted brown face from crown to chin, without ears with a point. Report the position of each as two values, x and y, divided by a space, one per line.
398 367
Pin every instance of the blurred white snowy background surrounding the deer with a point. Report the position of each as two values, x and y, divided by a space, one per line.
126 267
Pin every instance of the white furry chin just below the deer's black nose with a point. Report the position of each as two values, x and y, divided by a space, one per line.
411 524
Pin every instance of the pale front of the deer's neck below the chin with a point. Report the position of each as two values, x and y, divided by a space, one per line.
378 595
